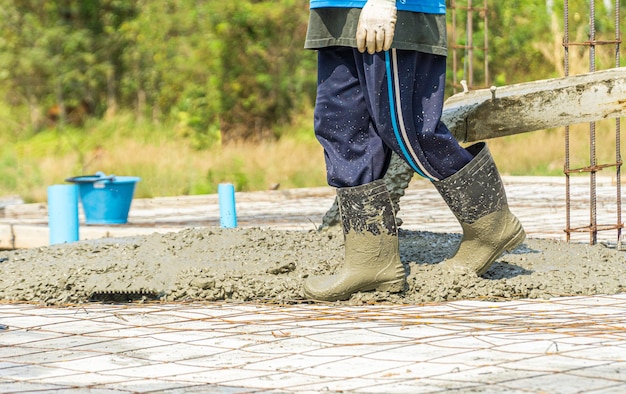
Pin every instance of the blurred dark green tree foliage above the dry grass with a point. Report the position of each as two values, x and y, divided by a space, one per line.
220 70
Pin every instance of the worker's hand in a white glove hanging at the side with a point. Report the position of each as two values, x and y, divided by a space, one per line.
377 24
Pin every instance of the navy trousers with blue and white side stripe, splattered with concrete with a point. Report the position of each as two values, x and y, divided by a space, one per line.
369 106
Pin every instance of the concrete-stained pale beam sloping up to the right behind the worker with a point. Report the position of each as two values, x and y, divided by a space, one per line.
520 108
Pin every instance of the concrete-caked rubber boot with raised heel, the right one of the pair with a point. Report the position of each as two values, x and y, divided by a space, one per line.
476 196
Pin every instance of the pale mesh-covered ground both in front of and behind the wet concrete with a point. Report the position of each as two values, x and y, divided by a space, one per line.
560 344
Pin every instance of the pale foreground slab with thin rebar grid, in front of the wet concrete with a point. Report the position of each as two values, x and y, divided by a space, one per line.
565 345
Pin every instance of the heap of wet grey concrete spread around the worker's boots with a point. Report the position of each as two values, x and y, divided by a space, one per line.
269 265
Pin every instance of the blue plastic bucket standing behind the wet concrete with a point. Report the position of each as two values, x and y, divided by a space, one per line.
105 199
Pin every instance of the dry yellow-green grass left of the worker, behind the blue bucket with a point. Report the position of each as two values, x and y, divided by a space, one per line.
167 163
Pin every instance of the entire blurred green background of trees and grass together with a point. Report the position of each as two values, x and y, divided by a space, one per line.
189 93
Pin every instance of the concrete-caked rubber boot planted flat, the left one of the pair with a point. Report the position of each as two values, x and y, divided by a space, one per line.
372 258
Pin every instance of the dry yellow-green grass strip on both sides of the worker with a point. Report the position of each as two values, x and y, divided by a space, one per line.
169 165
